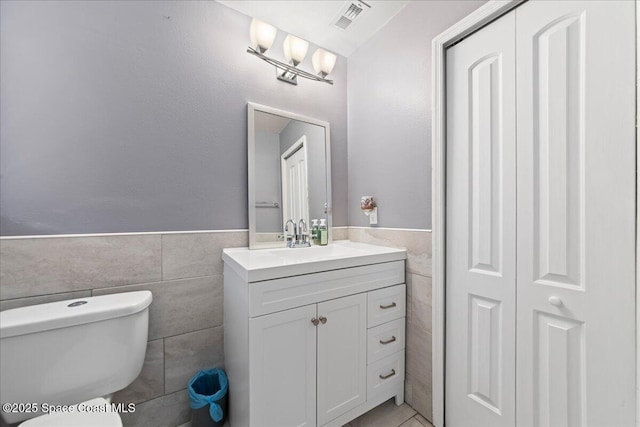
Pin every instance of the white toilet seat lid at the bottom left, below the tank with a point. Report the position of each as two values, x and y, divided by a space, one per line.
75 418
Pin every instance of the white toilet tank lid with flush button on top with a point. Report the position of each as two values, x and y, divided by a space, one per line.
62 314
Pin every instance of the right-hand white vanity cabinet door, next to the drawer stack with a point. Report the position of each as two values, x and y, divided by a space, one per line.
342 359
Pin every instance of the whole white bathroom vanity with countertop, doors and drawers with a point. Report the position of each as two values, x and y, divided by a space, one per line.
313 336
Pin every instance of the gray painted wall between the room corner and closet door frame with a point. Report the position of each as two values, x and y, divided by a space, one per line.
389 91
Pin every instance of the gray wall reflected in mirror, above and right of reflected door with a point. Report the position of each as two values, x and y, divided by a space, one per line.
316 164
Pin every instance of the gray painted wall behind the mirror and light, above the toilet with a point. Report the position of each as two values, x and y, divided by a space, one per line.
131 116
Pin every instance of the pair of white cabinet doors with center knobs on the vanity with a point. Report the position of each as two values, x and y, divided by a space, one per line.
288 348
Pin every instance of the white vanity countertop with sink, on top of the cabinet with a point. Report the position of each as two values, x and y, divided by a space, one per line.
266 264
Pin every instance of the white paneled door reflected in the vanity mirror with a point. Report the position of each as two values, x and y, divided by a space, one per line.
295 192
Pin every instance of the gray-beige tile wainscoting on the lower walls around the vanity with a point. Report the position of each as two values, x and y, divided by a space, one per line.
184 272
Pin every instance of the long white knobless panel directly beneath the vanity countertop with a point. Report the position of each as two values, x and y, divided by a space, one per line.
270 296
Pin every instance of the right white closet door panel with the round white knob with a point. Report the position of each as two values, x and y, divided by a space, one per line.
576 213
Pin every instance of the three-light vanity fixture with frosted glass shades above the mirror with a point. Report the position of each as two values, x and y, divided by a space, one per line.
262 35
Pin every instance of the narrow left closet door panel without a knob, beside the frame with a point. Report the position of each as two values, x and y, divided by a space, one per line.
480 234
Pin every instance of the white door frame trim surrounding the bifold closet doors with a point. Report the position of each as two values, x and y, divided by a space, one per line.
488 12
